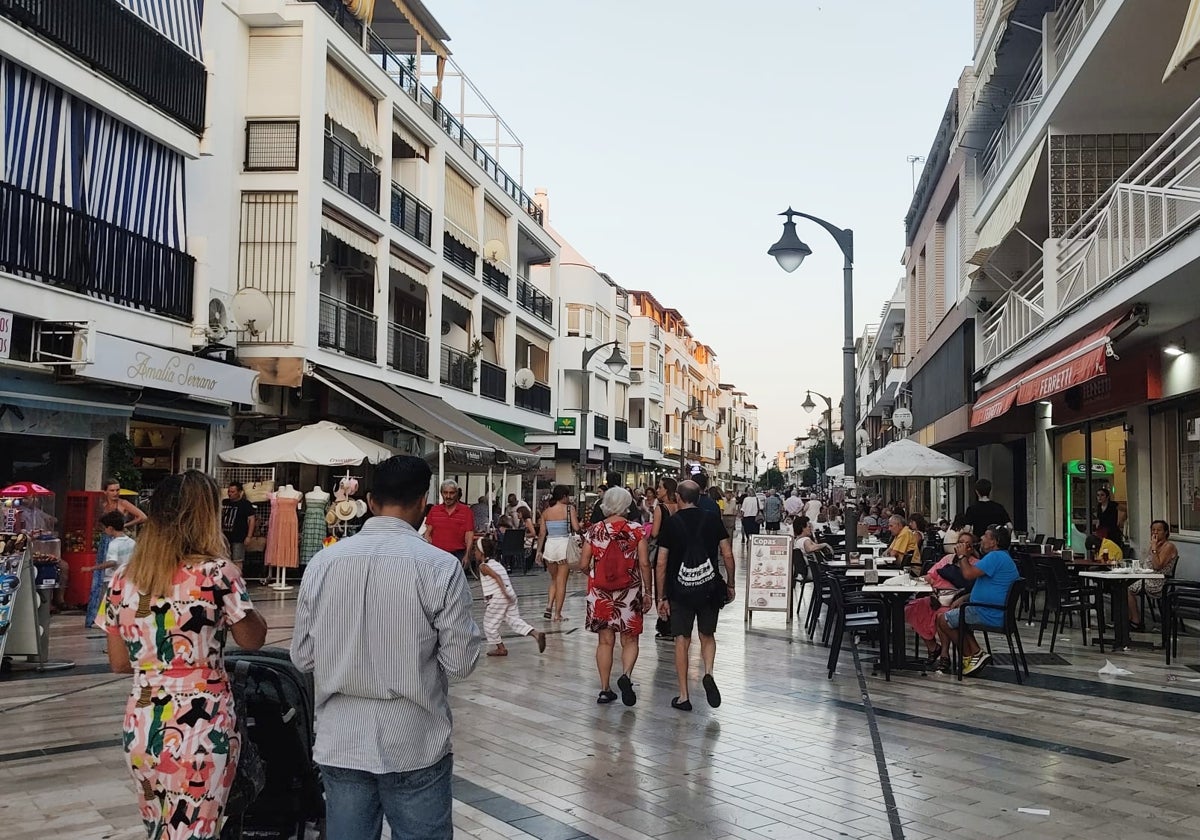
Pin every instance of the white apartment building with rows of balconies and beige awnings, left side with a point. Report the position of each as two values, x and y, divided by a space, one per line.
397 250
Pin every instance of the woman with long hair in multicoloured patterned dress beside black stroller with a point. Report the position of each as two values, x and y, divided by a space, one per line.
167 616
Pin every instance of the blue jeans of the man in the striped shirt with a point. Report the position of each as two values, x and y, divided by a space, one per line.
418 803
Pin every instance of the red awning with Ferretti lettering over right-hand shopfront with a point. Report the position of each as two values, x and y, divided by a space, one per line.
1087 359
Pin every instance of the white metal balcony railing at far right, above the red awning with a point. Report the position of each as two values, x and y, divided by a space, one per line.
1154 202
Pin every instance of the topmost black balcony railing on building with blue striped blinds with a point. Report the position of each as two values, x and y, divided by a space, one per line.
105 35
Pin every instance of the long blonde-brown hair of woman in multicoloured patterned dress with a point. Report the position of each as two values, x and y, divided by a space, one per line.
183 525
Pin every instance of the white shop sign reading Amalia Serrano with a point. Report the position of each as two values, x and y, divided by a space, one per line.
136 365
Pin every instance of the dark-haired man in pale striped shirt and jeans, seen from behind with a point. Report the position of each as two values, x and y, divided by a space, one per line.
385 625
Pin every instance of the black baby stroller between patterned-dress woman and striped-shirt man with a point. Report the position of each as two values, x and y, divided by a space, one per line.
278 700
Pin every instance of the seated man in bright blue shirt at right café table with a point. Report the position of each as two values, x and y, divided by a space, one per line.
994 577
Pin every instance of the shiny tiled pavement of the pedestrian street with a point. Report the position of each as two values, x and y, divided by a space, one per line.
788 755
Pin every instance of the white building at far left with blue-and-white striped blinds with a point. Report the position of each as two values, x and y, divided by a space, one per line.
100 299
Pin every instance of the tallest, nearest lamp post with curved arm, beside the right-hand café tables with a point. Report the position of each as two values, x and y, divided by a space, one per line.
790 253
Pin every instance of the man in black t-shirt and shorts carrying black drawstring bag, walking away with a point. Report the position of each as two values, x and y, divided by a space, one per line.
687 526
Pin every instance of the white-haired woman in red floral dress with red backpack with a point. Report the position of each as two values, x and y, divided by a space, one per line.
619 571
